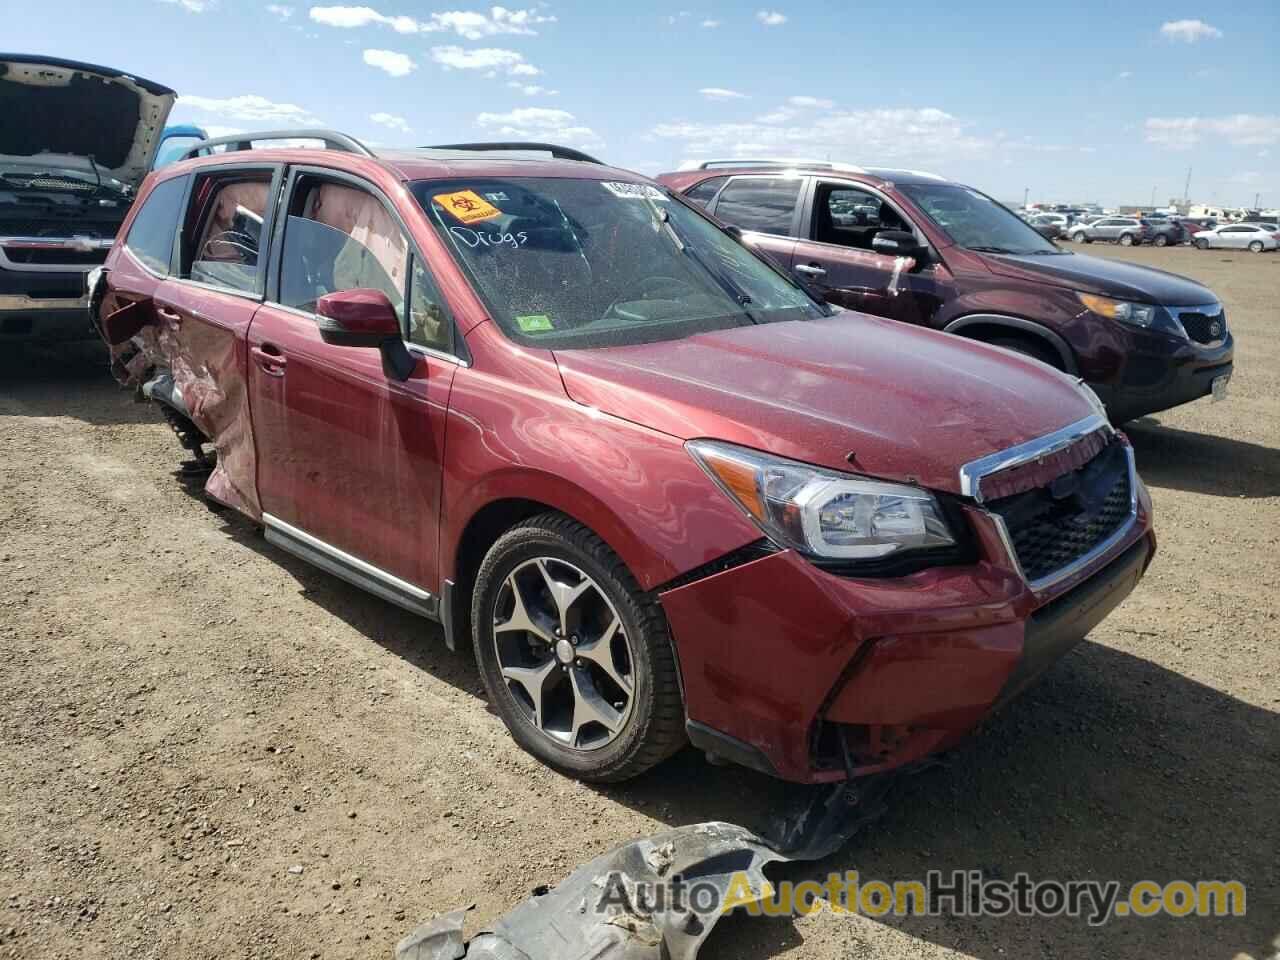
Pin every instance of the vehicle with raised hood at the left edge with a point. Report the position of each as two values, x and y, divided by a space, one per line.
76 143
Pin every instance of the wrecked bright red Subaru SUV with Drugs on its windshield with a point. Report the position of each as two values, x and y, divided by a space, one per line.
664 492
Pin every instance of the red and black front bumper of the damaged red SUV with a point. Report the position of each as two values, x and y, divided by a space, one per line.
810 676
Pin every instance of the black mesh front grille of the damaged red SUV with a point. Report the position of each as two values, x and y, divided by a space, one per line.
1057 525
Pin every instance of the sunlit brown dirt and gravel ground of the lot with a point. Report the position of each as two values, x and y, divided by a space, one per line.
213 751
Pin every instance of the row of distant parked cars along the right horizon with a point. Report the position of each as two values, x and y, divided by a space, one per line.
1159 231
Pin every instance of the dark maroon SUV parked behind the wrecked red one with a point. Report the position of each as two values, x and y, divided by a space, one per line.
916 248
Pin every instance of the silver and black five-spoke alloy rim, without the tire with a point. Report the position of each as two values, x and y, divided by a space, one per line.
564 653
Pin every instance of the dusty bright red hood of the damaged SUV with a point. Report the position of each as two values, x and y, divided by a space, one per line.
852 392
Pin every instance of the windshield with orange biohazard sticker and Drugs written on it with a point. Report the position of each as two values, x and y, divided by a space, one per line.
568 263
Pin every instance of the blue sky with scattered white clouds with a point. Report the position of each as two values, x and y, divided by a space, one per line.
1087 102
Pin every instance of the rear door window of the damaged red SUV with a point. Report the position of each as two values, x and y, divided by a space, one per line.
223 236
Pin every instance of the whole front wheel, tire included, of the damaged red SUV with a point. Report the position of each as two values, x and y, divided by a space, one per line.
577 659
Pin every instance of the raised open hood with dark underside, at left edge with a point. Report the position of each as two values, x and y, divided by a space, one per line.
62 109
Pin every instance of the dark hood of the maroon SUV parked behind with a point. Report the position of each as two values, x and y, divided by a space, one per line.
1107 278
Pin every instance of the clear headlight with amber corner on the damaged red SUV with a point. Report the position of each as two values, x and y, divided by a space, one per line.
824 513
